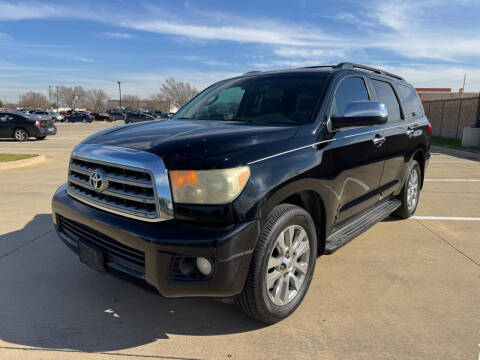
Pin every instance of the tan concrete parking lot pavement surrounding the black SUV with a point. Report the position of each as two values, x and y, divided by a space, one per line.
403 290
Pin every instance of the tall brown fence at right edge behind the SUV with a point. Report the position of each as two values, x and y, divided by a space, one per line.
449 117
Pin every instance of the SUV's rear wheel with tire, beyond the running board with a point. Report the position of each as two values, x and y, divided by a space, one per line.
409 198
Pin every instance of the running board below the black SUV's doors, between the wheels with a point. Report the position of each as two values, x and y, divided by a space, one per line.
349 230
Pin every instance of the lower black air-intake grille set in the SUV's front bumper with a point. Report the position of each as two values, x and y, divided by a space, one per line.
112 250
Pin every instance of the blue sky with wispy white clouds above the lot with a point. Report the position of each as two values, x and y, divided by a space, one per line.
94 43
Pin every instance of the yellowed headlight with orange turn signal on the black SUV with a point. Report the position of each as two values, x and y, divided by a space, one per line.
208 186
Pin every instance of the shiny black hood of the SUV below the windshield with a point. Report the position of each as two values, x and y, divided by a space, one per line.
197 144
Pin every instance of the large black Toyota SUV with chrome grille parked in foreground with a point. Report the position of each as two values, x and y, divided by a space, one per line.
237 195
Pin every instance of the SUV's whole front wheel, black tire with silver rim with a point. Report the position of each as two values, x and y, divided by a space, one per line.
268 260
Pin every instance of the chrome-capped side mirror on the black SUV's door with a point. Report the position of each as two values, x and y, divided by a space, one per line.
361 113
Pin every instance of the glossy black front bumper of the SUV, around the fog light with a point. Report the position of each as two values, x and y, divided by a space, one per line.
229 247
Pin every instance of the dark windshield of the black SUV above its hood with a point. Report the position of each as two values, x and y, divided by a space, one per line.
266 99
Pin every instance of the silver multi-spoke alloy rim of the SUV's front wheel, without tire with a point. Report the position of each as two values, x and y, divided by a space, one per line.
288 264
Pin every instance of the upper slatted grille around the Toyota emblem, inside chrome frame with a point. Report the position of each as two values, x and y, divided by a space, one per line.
128 191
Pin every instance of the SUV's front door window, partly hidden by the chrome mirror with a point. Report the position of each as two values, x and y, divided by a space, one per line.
350 89
